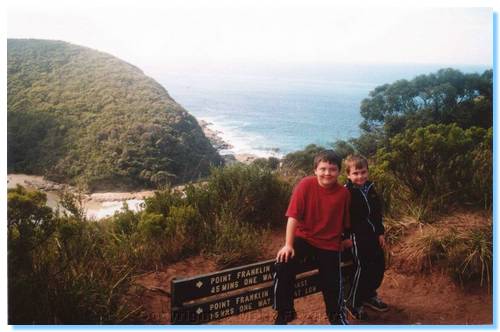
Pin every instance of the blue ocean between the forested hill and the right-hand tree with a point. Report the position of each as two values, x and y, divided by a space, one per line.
272 110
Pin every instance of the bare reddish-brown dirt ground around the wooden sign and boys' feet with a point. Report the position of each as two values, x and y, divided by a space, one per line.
432 299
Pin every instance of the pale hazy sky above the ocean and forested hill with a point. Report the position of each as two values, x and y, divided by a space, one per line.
180 33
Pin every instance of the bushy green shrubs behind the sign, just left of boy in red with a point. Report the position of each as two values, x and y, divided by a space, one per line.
212 216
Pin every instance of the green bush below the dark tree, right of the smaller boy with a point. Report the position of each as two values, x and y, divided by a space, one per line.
438 164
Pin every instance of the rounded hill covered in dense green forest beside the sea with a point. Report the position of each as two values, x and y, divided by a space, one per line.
81 116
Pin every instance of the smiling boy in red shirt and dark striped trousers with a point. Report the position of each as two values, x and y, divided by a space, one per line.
317 215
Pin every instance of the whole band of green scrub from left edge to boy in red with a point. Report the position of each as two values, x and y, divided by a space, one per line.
65 269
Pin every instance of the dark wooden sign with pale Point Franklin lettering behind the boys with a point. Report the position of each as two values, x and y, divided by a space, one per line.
213 296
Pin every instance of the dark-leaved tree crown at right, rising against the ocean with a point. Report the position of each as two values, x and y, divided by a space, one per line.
448 96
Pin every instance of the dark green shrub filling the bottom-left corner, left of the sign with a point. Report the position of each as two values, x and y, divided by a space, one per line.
62 269
